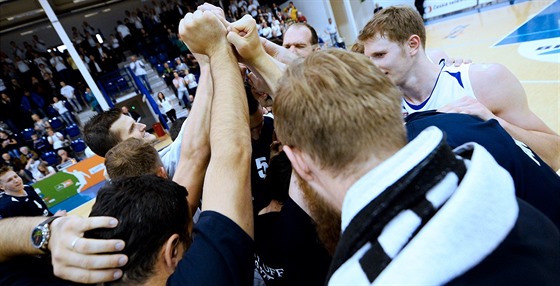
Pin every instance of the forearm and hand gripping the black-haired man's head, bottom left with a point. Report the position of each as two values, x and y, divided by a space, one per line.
80 263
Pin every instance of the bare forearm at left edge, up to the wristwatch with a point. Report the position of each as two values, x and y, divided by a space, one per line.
16 237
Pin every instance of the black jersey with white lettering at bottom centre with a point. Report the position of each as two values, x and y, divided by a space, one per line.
287 248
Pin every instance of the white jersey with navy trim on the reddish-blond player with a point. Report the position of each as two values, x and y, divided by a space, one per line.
452 84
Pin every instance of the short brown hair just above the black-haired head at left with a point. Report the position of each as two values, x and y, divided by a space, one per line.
130 158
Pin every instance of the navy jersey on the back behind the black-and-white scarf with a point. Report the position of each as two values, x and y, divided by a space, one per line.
535 182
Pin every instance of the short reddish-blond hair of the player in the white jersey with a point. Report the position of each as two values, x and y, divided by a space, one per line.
396 23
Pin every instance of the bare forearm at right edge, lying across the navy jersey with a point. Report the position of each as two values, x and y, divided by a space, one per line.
546 145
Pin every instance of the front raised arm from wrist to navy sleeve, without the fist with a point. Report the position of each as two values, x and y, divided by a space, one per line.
227 186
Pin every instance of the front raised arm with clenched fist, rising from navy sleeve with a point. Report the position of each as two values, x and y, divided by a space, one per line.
227 184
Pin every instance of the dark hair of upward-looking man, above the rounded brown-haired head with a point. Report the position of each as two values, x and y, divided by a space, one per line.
96 132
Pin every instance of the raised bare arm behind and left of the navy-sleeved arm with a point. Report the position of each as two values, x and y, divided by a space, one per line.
195 145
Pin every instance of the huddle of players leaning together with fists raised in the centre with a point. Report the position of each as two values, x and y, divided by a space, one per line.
350 160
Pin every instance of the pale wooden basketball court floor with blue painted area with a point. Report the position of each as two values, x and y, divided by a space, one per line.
524 37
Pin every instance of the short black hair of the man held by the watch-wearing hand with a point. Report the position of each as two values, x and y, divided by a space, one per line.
149 209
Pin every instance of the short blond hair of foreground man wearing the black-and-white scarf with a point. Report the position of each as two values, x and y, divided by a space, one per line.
340 109
